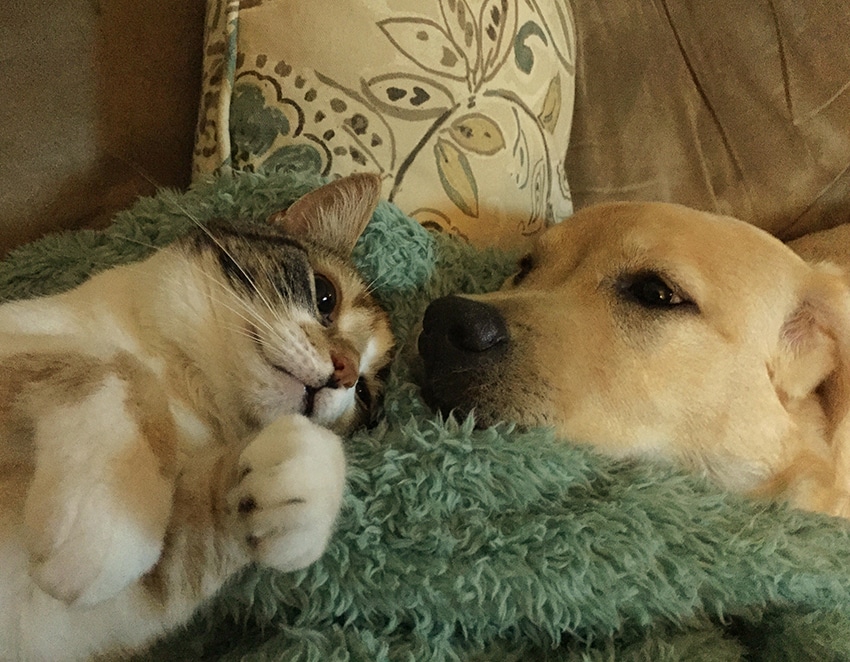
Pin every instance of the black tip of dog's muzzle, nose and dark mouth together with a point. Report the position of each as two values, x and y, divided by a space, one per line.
461 342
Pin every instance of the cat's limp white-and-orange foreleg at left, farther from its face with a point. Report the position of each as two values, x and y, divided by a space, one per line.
99 501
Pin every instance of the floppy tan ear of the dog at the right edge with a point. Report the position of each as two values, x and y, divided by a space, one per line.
813 361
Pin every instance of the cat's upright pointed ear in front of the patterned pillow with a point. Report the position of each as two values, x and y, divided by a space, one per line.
335 214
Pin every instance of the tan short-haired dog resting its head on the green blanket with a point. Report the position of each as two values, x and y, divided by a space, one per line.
655 330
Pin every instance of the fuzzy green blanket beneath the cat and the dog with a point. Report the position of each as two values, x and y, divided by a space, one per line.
495 544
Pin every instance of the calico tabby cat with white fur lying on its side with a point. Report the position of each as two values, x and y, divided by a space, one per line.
169 422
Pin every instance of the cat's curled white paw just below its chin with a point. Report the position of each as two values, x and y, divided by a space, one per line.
291 479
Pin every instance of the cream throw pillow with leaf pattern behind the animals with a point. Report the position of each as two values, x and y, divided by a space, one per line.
463 106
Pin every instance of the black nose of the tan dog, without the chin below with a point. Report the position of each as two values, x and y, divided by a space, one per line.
457 332
